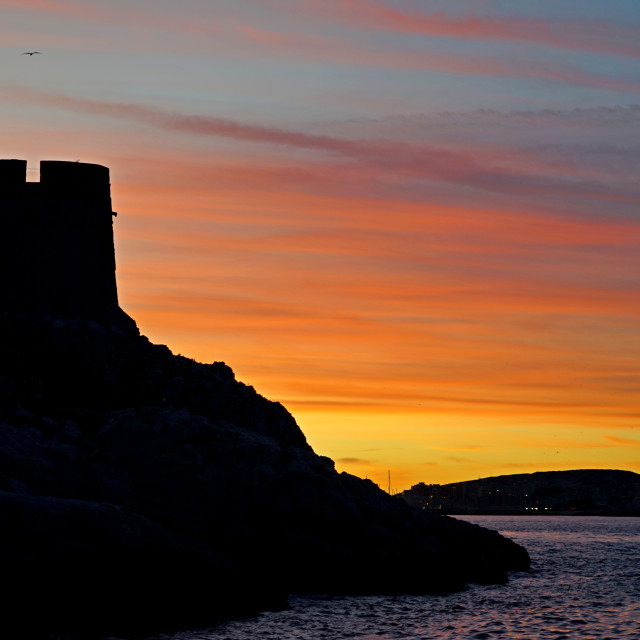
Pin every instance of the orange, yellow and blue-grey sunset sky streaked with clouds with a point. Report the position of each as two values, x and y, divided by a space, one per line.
414 223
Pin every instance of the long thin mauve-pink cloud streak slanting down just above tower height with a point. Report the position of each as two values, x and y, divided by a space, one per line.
485 169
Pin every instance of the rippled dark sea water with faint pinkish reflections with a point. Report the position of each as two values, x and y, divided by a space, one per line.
584 584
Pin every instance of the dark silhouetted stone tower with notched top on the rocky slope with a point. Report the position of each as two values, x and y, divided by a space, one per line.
56 241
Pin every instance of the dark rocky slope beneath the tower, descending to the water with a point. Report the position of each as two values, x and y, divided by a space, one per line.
141 490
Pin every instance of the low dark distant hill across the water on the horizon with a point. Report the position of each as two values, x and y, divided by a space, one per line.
583 491
